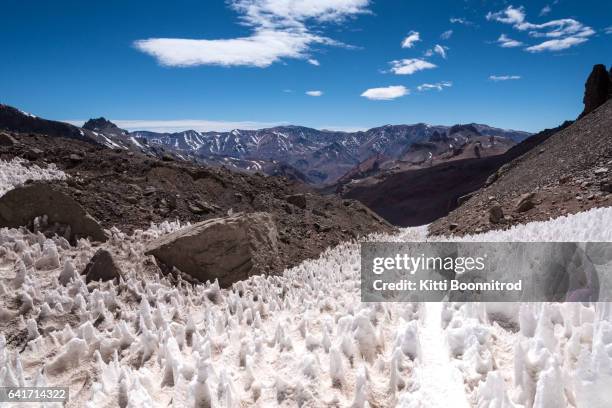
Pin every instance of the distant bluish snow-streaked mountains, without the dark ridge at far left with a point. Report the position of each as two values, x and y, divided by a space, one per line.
322 156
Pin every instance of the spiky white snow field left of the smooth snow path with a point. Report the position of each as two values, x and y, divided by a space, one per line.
302 338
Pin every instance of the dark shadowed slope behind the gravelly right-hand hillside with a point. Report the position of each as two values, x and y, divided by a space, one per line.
412 195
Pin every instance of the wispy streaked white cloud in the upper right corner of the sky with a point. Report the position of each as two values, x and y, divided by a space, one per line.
562 33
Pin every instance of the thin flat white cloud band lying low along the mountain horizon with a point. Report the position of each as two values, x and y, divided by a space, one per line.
164 126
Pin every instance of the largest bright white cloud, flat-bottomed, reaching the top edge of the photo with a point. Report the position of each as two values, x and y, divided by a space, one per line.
279 31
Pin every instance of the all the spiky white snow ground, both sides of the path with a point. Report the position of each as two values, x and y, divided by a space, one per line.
301 339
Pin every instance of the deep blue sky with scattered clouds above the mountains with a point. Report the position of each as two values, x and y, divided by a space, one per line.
323 63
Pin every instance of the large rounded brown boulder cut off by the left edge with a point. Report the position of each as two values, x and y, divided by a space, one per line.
21 205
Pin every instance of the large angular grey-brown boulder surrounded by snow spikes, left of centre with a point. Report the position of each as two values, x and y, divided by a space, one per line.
229 249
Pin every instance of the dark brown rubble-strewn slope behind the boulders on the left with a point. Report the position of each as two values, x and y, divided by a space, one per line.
130 190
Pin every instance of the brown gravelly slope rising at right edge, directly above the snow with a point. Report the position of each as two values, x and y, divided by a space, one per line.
568 173
